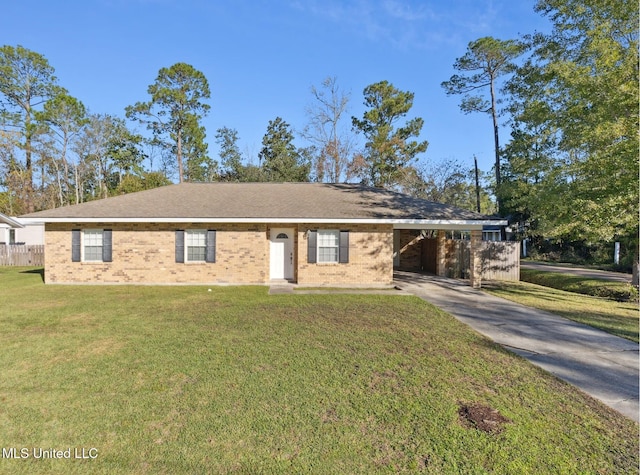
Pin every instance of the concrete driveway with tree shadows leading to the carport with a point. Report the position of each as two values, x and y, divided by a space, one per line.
602 365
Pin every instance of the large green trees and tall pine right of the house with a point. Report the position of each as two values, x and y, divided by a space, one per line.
567 178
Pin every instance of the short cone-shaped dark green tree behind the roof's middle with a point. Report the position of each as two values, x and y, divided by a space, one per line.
279 157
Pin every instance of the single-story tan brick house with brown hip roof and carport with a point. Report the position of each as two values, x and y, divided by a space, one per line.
246 233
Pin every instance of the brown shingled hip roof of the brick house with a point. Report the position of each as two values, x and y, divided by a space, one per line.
264 202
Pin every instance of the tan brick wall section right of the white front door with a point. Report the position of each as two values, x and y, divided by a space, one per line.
370 257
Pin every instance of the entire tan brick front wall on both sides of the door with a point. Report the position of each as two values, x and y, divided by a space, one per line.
145 253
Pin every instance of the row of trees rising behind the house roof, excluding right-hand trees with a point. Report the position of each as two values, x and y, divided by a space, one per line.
53 152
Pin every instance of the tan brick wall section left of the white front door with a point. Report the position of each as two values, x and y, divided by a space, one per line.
145 253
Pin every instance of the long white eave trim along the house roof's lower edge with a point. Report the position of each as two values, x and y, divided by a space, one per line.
396 223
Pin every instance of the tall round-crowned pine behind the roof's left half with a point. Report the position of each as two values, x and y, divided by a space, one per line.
174 112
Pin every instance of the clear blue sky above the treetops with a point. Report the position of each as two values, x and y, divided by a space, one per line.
262 56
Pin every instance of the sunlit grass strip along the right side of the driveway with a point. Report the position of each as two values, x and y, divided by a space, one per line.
618 318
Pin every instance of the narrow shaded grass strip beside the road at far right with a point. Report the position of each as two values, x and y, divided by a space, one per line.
619 291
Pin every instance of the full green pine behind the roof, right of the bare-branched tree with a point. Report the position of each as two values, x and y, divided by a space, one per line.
388 148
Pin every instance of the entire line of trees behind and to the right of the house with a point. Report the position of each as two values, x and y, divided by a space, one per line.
568 171
